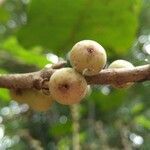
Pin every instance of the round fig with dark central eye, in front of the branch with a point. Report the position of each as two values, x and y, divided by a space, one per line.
67 86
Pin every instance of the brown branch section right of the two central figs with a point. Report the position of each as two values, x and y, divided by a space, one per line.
121 75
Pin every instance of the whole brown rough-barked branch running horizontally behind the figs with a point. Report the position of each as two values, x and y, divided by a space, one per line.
106 76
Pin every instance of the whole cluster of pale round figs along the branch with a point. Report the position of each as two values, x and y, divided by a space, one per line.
67 85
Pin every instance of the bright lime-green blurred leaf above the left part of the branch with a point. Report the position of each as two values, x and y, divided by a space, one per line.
33 56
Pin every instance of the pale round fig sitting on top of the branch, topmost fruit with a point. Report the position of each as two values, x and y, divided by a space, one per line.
88 57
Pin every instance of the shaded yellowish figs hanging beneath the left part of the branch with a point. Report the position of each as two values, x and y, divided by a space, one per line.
34 98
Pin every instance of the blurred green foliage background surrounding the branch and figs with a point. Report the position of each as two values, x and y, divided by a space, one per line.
32 30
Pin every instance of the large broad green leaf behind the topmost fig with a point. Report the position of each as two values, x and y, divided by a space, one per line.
60 24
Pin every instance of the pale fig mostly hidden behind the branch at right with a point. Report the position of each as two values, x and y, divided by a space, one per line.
121 64
